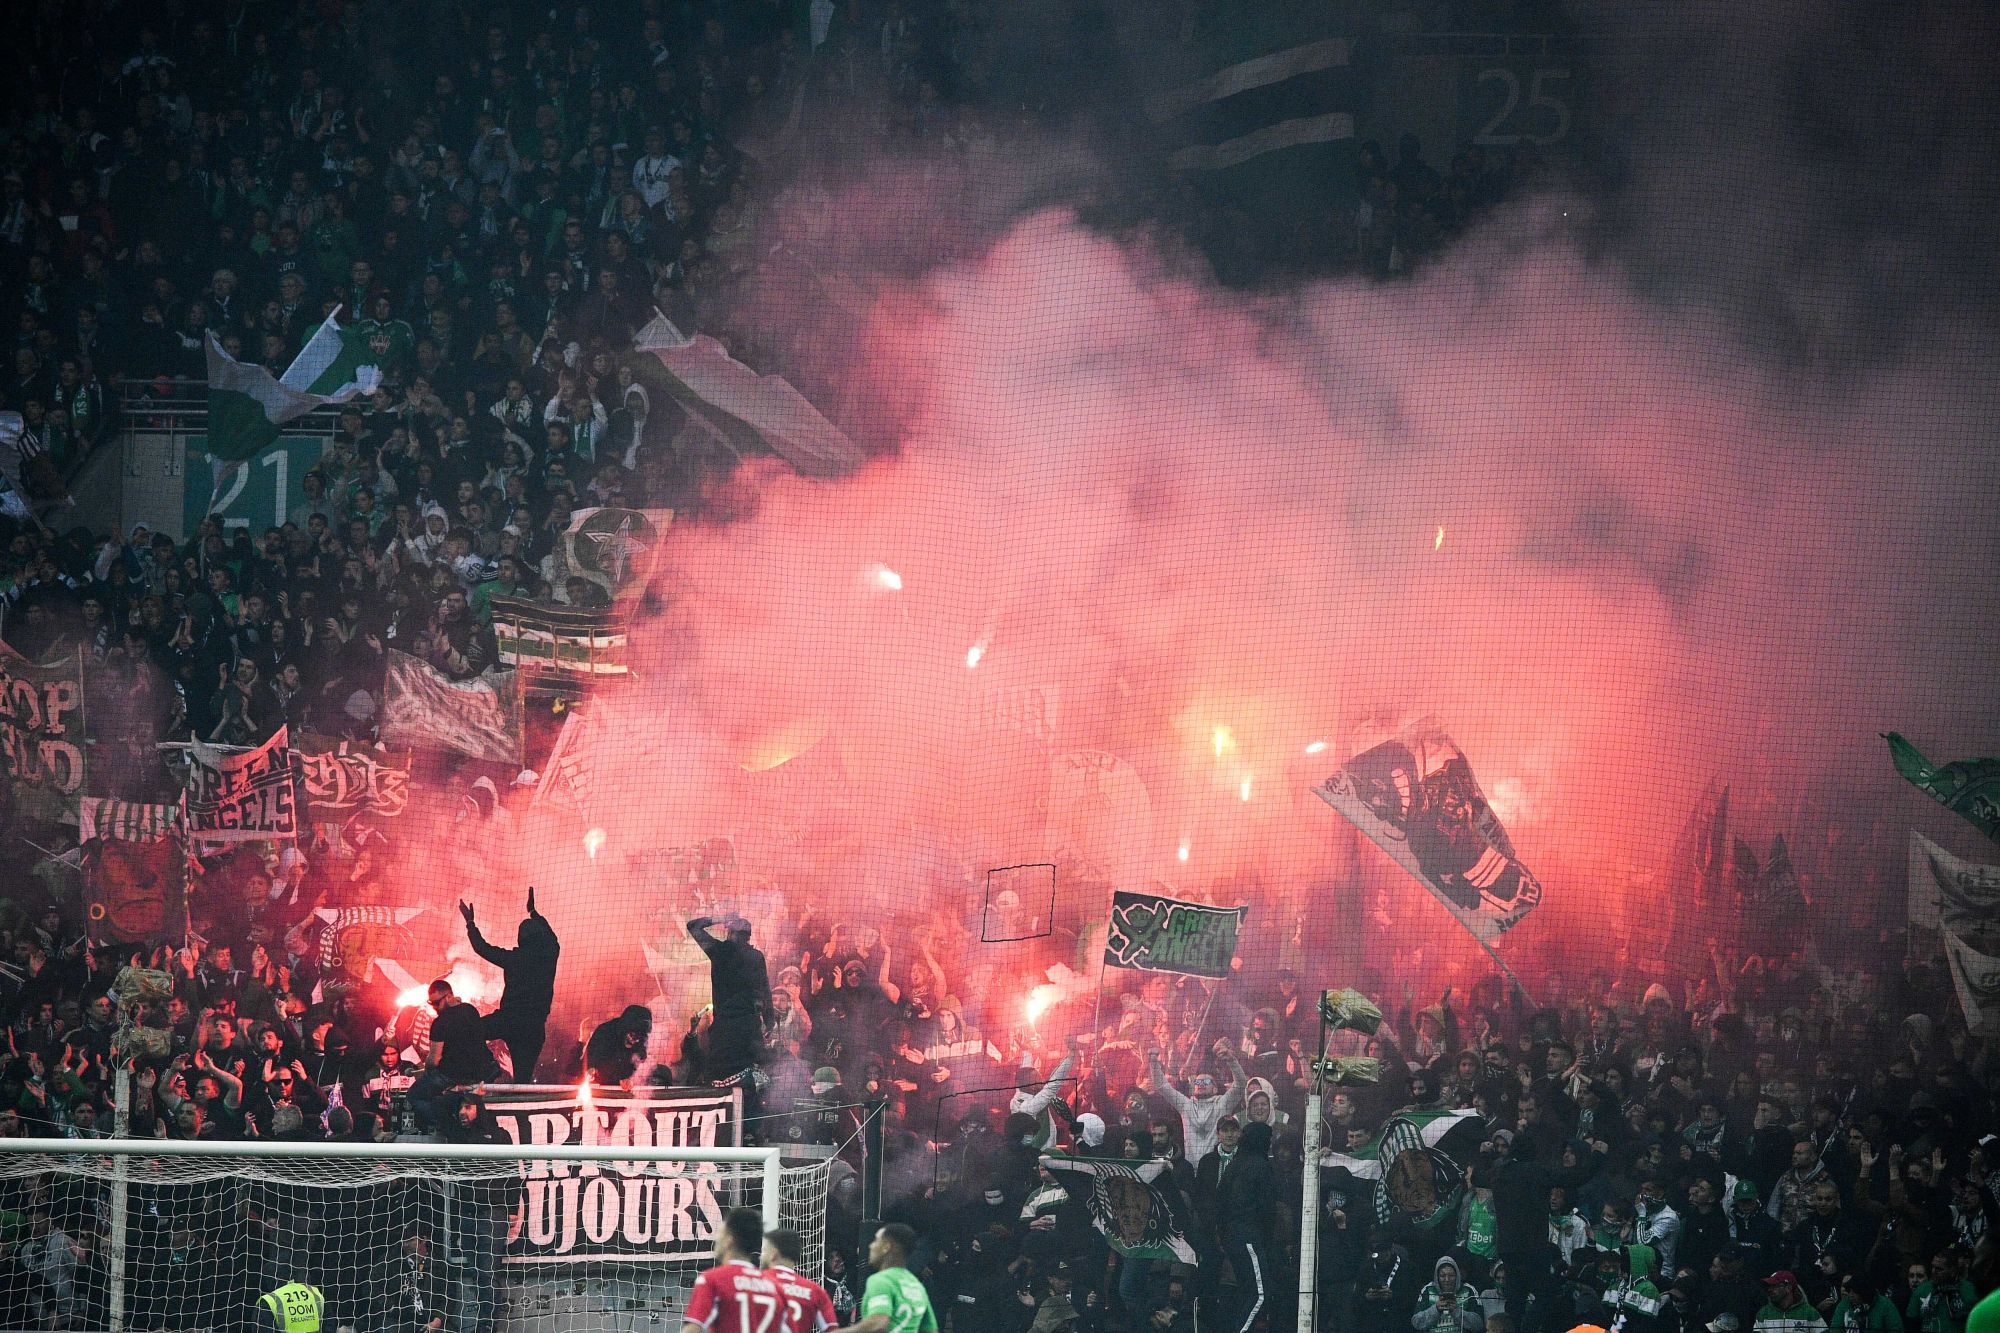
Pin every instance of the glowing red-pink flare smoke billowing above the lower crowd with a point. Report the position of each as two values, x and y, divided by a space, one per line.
1205 527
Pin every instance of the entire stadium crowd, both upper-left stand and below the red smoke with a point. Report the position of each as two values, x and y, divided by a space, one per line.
507 199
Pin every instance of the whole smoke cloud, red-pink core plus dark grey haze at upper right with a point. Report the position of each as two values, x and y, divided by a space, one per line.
1633 489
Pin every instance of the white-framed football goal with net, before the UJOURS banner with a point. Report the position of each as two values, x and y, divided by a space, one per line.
117 1234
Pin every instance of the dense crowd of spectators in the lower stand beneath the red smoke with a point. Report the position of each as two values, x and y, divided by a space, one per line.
1767 1162
